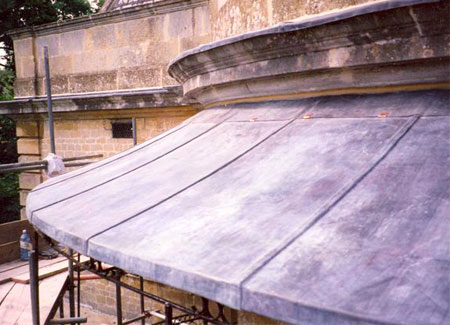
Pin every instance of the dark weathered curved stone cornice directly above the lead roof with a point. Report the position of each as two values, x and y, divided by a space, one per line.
381 44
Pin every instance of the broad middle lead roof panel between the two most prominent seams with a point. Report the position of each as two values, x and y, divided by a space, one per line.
209 232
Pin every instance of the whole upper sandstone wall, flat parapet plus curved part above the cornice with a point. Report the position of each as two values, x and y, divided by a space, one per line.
132 51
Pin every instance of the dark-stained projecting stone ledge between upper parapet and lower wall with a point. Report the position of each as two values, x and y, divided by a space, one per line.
105 100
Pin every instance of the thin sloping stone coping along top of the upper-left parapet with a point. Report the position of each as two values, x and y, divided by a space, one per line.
157 8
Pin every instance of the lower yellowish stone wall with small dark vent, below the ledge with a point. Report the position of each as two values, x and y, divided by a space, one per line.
84 134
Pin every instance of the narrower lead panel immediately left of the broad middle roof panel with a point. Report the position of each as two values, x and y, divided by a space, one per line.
146 186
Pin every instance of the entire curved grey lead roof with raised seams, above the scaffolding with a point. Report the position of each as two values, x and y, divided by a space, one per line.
342 217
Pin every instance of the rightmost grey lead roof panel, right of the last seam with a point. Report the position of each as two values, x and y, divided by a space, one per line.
382 253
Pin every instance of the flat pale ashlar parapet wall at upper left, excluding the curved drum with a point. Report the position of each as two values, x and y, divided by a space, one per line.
133 53
